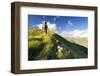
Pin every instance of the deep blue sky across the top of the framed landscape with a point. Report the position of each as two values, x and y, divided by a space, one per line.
61 24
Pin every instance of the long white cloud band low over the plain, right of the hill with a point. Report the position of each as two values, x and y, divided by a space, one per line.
75 33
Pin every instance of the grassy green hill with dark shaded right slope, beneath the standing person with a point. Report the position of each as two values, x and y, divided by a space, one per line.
43 46
